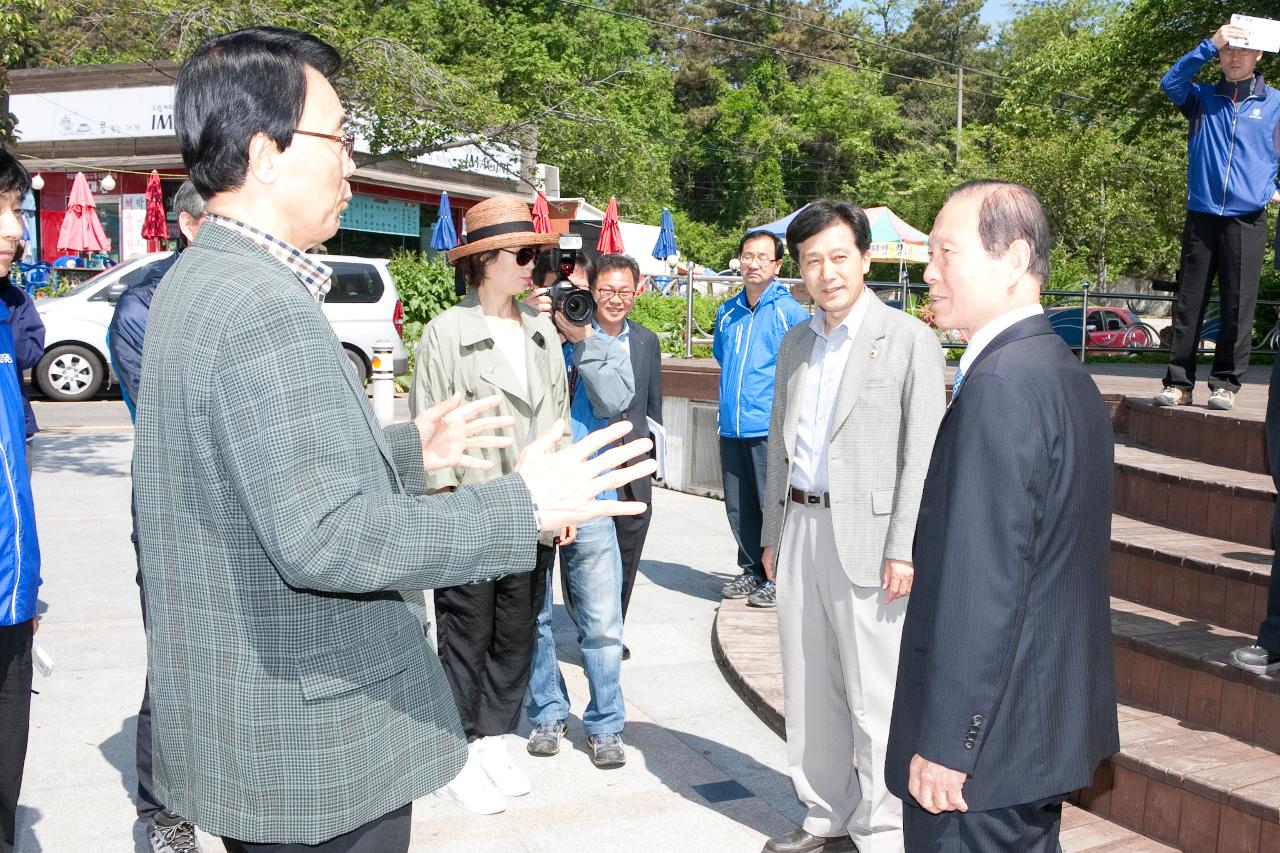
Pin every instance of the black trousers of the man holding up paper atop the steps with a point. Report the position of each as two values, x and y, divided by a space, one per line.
1233 249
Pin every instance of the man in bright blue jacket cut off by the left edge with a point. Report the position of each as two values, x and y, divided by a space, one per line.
20 558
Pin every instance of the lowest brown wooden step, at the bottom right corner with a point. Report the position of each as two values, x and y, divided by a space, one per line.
1187 786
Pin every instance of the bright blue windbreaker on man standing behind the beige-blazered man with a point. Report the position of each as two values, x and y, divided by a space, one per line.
746 345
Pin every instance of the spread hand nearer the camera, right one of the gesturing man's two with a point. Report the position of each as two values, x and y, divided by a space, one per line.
565 483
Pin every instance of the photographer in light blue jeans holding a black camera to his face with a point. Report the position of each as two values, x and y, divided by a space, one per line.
601 389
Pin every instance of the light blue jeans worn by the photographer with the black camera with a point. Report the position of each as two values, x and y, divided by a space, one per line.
595 571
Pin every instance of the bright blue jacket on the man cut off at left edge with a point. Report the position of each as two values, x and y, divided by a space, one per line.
20 549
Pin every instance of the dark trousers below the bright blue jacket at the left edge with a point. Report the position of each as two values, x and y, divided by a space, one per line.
15 723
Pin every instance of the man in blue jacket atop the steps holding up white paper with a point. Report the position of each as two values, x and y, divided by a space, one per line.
1232 143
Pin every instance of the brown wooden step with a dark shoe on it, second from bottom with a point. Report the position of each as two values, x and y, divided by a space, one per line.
1178 667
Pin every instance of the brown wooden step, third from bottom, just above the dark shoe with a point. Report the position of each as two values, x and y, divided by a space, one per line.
1200 578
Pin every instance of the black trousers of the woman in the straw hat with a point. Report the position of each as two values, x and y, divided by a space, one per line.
487 636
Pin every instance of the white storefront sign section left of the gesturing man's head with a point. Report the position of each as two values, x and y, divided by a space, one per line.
95 115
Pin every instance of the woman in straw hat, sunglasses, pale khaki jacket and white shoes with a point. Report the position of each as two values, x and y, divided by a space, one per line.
492 344
